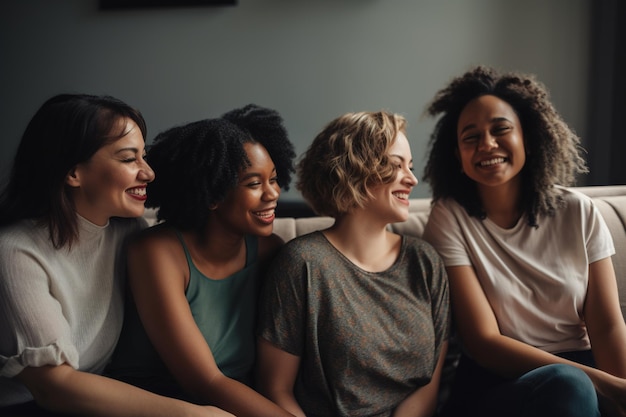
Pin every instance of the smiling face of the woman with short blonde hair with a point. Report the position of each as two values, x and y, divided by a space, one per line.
390 201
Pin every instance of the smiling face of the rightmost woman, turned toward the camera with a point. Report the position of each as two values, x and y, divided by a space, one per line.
491 142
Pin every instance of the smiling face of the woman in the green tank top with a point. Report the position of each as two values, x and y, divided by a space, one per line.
249 207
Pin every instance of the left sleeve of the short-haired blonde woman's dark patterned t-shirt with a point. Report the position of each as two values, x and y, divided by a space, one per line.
283 301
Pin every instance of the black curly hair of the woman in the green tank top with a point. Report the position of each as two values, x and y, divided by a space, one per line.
197 164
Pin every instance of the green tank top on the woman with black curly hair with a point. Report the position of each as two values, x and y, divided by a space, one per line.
225 312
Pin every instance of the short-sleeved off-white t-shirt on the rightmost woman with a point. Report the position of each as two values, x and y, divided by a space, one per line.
534 278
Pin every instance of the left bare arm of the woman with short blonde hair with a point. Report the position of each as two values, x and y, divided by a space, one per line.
277 371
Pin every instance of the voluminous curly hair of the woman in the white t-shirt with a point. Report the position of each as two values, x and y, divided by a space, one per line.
553 149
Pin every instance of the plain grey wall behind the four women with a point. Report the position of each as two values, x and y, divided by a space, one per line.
312 60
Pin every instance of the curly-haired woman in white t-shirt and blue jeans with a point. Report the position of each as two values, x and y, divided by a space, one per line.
532 283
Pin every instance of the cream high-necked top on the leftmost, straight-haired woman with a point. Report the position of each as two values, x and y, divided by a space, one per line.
58 305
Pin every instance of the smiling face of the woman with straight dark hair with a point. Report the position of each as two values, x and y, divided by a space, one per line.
112 183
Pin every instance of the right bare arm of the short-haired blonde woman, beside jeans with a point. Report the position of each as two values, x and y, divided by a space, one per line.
423 402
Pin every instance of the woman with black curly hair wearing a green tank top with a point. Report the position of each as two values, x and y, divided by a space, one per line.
194 277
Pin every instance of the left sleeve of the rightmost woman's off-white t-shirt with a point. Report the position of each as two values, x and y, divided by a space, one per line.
444 233
